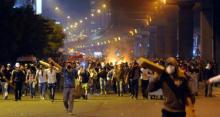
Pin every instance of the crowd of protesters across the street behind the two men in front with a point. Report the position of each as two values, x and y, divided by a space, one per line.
95 78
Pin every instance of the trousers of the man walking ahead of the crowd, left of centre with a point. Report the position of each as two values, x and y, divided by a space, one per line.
68 99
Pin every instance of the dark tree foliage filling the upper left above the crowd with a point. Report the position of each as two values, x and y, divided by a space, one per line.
24 33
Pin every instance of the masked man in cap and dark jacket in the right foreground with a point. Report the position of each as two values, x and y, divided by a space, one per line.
176 91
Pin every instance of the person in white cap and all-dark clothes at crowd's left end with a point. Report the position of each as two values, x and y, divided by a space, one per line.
18 77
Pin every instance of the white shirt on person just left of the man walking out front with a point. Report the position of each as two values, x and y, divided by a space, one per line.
51 75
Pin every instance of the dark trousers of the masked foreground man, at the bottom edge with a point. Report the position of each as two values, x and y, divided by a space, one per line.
166 113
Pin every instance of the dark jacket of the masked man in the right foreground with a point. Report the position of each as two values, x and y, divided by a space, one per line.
175 96
